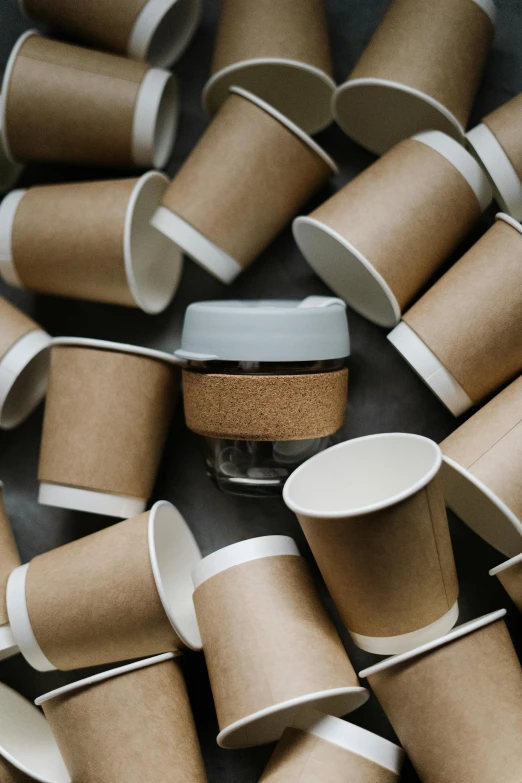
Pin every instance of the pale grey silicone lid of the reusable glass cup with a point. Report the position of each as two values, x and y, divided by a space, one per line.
266 330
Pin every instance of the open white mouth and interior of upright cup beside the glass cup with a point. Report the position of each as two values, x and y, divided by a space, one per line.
362 475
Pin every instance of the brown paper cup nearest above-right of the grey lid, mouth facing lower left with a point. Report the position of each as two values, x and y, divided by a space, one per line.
379 239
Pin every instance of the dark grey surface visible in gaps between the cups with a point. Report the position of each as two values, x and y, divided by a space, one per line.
384 393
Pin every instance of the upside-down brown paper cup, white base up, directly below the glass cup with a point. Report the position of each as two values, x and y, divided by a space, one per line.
270 647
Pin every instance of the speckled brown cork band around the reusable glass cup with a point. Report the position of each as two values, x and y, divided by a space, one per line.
265 407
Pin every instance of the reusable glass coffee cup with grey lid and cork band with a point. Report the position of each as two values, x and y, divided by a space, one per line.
265 385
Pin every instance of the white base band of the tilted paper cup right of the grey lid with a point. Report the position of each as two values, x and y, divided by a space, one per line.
430 369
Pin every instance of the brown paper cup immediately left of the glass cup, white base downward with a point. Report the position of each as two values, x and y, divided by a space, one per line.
107 416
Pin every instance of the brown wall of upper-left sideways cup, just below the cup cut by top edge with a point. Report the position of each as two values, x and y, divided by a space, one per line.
68 104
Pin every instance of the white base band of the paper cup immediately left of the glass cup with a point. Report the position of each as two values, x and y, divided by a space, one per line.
76 499
